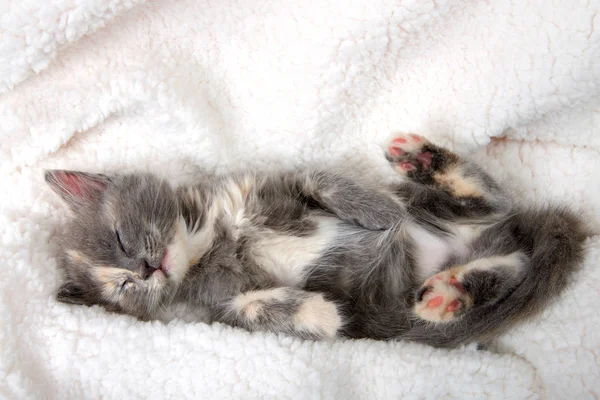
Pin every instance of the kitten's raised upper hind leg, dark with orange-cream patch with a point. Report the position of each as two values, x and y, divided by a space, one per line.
461 188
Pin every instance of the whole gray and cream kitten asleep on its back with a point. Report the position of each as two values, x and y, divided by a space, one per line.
443 257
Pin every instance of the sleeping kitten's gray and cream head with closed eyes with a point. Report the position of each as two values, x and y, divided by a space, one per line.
125 246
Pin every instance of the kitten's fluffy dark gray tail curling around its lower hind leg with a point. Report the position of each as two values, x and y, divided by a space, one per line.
554 239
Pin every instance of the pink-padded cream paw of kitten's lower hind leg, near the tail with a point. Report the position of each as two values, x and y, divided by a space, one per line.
442 297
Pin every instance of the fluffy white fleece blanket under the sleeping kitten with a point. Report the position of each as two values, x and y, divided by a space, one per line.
173 86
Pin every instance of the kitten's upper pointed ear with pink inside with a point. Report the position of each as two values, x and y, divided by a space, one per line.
77 188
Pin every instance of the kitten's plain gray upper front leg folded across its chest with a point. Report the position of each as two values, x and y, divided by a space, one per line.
354 202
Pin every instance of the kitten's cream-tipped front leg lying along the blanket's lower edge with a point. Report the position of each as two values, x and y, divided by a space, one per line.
294 312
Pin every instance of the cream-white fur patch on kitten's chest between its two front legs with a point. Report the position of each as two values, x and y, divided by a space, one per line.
286 257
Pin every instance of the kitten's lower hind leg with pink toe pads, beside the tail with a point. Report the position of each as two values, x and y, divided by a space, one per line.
454 291
